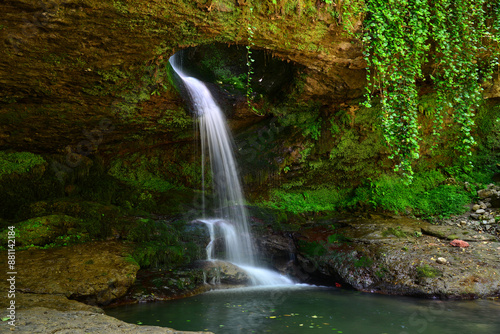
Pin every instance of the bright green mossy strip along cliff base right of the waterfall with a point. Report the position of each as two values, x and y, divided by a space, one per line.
428 195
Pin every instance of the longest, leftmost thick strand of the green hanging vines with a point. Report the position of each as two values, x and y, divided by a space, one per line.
396 37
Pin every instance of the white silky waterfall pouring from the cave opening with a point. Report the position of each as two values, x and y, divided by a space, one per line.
233 225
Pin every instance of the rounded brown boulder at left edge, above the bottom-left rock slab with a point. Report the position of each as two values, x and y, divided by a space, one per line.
96 272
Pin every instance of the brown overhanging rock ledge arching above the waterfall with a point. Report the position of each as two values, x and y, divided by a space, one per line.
69 64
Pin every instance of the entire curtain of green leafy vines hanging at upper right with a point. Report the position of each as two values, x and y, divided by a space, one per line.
398 36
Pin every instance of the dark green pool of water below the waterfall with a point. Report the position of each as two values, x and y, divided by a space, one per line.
307 309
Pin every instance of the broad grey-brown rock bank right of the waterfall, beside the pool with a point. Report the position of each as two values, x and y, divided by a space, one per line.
403 266
